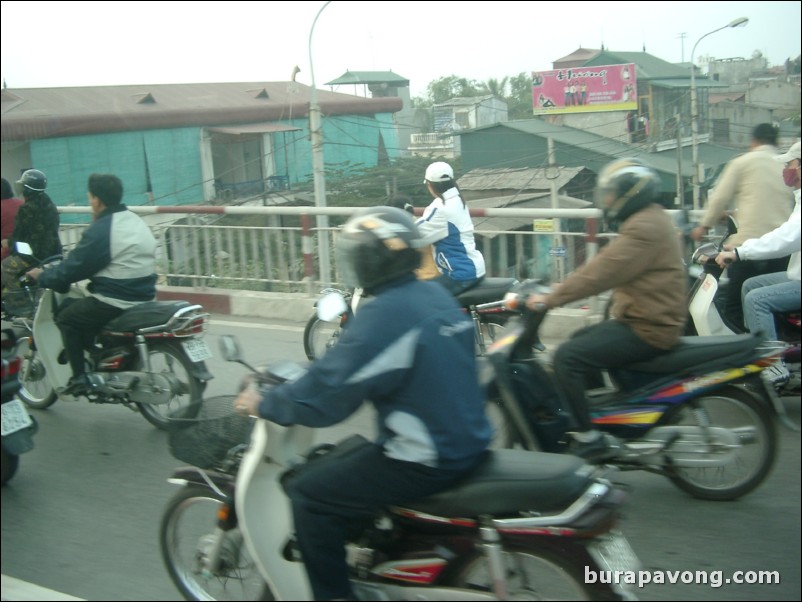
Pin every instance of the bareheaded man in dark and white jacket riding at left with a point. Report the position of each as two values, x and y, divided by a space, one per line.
117 253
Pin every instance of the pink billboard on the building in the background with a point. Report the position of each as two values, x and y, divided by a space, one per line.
585 89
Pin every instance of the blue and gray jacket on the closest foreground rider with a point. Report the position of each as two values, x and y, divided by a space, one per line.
410 351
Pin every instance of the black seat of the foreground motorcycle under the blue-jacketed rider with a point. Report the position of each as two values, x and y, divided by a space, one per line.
510 481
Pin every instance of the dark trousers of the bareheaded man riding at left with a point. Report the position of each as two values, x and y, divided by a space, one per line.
80 321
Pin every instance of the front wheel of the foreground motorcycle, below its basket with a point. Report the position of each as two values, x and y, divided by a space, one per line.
189 534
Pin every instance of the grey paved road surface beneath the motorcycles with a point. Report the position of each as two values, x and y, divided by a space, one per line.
82 515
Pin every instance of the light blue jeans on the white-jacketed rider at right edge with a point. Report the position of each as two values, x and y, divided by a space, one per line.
763 296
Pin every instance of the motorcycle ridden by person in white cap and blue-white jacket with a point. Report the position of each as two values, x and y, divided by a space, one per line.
321 335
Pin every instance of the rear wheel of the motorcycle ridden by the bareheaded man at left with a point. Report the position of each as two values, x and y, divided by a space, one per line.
171 361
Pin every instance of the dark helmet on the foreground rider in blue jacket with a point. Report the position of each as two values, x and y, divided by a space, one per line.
377 245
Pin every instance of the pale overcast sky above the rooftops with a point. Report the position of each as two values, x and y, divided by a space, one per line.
57 44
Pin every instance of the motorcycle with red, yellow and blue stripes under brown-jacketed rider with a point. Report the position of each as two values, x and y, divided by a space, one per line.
699 414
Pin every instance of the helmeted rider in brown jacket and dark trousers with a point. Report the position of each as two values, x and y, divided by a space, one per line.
643 265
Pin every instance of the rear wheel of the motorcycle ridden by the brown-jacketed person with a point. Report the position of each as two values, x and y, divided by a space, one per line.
732 408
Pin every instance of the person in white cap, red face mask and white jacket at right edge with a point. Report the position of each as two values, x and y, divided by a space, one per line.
764 295
